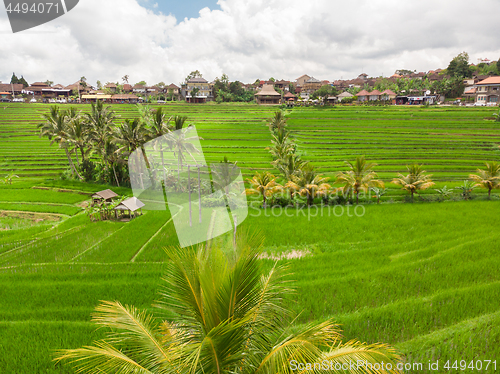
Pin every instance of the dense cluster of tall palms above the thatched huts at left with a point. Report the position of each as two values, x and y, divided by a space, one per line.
97 148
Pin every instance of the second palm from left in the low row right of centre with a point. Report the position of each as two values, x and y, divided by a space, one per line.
309 183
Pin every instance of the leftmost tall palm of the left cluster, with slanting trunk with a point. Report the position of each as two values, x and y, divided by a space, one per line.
55 127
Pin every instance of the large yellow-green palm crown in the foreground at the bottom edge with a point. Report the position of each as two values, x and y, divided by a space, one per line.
226 316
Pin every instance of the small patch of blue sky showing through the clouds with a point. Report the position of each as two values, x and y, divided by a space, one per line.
179 8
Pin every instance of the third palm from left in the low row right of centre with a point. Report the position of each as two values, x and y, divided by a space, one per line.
360 177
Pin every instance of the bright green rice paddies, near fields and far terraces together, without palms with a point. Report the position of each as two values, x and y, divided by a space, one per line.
423 277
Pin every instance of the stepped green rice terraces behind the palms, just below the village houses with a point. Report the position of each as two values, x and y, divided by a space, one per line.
451 142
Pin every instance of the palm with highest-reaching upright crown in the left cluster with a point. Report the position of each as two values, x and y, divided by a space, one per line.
100 122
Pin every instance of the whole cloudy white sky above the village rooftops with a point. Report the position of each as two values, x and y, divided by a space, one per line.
163 41
